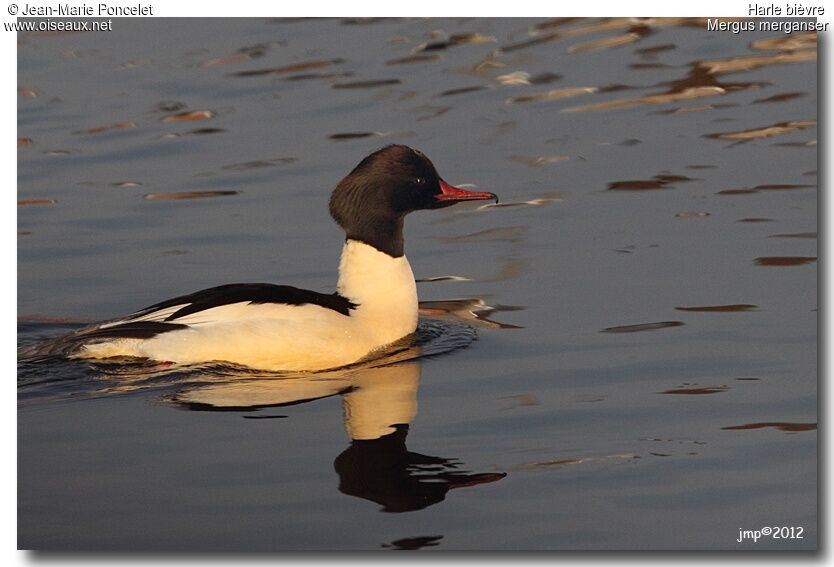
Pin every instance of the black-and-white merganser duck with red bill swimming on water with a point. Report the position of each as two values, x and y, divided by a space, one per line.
284 328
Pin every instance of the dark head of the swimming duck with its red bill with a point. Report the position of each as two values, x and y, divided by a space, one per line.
371 202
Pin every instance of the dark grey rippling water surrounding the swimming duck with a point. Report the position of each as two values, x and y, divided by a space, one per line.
645 300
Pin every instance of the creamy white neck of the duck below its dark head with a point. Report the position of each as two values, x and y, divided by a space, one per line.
383 287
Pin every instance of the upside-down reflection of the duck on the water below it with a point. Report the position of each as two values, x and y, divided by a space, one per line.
379 403
